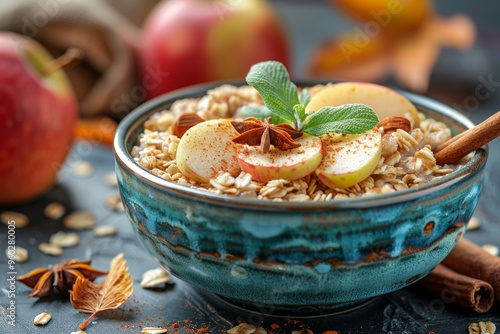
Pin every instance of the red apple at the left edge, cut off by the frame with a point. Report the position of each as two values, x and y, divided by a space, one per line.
37 115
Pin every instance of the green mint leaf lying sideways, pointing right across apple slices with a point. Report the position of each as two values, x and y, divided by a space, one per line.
347 118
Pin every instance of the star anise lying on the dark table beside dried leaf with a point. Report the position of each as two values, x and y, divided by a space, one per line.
61 276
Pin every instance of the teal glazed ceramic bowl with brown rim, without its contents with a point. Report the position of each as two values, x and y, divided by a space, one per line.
304 258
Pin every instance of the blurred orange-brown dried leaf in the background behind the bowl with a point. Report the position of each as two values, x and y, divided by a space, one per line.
409 55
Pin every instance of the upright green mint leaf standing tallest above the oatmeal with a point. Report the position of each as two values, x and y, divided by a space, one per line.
271 80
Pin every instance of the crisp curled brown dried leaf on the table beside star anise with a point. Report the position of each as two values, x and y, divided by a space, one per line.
93 298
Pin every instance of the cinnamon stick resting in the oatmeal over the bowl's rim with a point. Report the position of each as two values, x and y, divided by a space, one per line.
468 141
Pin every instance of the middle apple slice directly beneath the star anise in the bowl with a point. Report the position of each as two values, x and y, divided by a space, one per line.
276 164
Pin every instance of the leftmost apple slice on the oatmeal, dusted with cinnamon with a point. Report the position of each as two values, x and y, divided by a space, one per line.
207 148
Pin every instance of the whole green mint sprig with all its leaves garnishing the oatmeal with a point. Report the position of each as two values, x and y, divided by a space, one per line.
284 105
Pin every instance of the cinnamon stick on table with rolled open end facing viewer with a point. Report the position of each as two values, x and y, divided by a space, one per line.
459 289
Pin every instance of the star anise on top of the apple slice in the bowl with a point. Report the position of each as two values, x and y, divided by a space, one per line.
254 132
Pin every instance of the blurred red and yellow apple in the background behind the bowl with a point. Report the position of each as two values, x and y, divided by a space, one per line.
186 42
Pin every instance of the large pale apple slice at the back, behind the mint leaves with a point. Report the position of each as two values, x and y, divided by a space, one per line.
383 100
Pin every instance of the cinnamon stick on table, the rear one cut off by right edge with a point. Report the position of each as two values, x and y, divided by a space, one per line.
469 259
